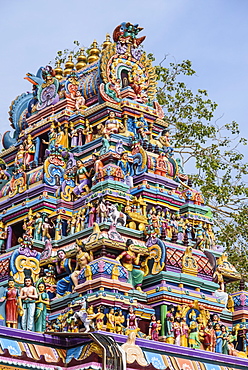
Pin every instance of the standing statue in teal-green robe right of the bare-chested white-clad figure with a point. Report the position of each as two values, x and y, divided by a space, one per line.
41 308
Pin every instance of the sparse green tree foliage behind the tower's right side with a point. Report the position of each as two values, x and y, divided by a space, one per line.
215 152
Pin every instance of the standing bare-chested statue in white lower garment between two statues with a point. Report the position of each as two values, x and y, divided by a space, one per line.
28 296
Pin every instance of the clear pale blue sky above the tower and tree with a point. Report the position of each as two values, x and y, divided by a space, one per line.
213 34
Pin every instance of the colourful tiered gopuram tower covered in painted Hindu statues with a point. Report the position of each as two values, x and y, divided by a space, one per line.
107 253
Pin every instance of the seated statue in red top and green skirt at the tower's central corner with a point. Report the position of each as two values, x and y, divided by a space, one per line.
129 258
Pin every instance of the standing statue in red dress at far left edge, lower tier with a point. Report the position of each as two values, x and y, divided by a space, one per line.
13 305
